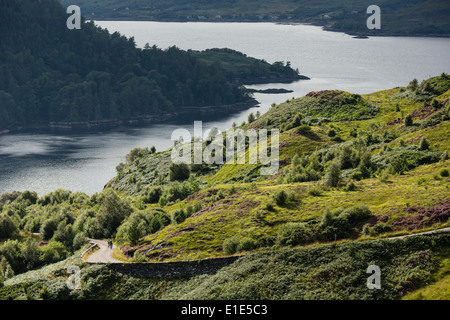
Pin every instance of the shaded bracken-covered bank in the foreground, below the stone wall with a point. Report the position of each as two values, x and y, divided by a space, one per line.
331 272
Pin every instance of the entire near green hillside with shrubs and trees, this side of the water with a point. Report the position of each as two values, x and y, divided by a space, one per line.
354 169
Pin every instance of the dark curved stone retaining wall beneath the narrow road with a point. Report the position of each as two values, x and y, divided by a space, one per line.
172 269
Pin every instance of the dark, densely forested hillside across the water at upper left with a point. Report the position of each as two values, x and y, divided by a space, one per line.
49 73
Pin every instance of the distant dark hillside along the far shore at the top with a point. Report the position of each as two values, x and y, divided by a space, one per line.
399 17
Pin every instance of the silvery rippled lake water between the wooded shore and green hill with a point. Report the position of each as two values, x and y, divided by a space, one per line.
85 161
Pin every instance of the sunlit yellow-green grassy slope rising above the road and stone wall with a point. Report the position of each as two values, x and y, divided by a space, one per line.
235 201
